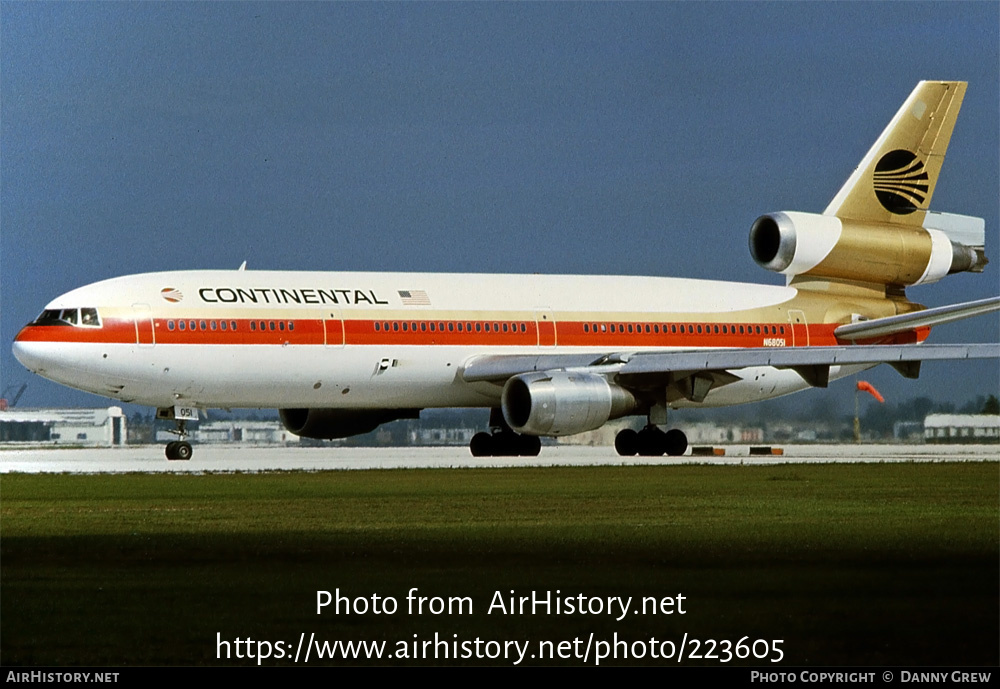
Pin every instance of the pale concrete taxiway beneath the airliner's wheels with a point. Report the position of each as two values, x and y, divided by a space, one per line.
248 458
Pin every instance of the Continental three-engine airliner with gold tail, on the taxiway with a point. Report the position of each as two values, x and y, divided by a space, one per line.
339 353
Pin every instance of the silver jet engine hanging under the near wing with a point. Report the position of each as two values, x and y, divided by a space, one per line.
562 403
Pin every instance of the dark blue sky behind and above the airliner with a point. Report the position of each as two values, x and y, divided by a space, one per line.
612 138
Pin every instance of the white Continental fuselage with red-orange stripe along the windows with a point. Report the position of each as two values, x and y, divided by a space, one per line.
383 341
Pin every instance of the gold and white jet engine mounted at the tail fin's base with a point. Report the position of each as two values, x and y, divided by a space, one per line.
826 246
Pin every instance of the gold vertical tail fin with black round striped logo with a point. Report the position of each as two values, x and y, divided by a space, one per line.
895 181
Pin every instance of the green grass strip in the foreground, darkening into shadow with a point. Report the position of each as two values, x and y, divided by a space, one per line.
849 564
